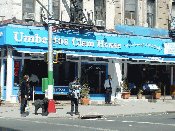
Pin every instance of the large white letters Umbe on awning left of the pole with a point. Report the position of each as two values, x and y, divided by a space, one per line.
32 39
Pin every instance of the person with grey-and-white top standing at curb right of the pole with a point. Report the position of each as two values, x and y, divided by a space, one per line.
75 88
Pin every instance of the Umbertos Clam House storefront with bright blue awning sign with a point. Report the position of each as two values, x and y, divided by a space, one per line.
92 54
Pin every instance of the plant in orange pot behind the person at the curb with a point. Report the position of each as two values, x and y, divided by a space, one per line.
84 91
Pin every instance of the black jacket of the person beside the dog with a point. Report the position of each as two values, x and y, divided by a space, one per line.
24 89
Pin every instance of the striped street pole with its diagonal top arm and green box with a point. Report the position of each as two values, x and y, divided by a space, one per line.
49 82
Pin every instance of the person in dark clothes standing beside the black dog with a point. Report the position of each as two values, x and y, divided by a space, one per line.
24 94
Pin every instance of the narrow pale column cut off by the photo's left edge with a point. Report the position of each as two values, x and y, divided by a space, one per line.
2 72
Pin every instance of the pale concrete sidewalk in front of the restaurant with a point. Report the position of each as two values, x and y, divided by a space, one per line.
63 109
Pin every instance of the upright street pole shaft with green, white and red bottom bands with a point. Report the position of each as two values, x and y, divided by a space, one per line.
51 105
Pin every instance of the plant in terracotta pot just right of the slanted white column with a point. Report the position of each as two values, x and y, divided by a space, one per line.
126 91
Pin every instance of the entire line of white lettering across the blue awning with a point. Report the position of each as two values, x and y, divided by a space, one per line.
19 37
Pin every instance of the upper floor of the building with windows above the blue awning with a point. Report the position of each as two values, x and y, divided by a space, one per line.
145 13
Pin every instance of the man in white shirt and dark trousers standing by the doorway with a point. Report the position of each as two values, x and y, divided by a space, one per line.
108 89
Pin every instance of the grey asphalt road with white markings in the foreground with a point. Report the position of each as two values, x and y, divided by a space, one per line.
138 122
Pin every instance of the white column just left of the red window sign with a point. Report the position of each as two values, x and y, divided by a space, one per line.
9 75
